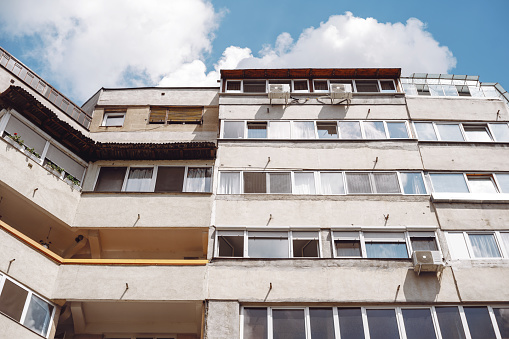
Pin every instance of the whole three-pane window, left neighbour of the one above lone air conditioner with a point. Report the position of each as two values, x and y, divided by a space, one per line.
267 244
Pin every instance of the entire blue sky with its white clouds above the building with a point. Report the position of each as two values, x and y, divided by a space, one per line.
81 46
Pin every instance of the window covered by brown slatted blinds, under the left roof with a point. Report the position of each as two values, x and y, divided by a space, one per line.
176 114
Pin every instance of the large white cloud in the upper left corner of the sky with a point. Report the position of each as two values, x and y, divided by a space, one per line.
86 45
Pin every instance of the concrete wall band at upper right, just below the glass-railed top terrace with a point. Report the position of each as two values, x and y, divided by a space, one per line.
457 108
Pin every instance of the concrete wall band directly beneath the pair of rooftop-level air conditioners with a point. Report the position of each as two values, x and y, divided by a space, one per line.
247 110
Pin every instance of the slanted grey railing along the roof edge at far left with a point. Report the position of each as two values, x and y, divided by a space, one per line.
31 79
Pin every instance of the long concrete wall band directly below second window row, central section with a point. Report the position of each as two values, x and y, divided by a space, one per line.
338 155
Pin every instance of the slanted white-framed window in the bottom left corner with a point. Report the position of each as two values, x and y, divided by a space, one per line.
14 299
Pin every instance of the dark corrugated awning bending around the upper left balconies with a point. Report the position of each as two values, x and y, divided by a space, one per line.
90 150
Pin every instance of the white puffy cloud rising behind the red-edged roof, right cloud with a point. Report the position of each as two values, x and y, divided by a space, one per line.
349 41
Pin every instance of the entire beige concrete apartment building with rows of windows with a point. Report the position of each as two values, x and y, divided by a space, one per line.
285 203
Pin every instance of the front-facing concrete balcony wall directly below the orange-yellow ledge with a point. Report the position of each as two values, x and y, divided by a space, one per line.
159 283
